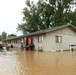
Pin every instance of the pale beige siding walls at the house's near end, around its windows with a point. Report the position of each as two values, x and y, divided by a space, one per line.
49 43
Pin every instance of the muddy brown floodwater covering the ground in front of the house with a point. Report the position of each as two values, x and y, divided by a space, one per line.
19 62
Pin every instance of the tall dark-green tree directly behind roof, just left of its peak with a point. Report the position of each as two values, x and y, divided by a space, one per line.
61 9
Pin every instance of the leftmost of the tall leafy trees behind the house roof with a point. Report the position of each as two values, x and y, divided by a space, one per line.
30 19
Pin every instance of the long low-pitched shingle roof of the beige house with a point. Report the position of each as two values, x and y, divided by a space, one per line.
43 31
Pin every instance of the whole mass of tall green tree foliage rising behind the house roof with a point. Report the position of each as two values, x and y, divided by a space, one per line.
45 14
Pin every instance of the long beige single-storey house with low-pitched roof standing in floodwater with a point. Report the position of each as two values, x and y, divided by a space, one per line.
58 38
